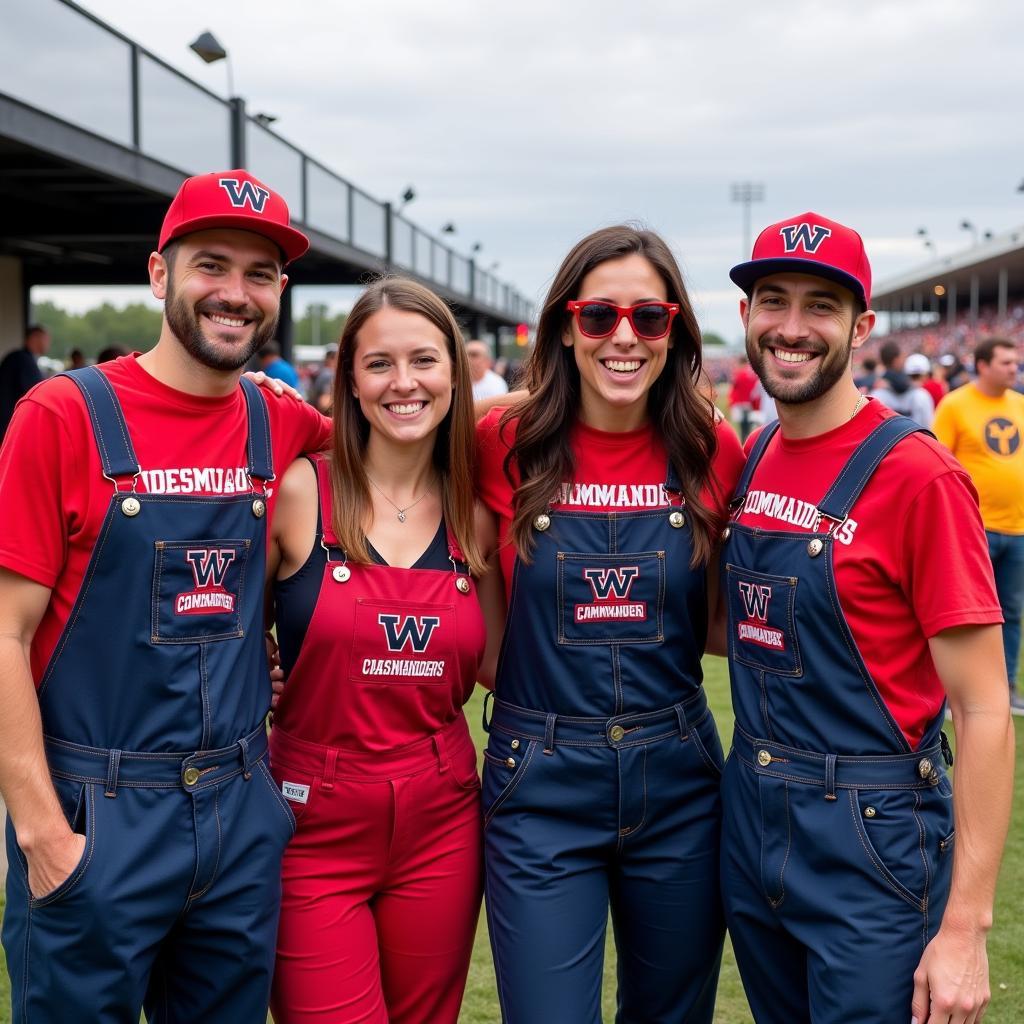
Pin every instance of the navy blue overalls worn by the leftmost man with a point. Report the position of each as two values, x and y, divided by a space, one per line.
154 706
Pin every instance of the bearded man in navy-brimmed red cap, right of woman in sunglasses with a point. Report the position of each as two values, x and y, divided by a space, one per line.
847 636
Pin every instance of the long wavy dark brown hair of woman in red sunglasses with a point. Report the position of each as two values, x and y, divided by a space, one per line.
682 417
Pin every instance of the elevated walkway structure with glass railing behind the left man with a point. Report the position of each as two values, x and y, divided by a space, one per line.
97 135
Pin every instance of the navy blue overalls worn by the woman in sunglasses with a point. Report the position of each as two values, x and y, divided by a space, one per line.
602 777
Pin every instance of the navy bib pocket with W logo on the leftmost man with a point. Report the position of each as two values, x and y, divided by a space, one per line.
197 590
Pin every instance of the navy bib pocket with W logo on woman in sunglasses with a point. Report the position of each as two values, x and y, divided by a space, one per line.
611 599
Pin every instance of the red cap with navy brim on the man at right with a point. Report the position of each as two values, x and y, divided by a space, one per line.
809 244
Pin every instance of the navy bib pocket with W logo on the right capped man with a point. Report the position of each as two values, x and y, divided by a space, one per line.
762 623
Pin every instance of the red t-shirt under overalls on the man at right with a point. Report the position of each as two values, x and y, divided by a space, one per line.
911 561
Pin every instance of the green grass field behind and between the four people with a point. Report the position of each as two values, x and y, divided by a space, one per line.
1006 944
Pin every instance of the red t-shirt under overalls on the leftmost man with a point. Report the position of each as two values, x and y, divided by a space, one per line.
54 493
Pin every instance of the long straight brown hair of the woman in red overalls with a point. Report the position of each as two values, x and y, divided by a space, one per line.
453 446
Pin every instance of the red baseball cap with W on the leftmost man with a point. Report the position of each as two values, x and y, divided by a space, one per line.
232 199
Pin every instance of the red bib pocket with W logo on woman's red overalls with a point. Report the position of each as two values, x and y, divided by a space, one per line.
406 643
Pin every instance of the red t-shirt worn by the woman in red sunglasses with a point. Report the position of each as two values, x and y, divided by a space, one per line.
614 472
